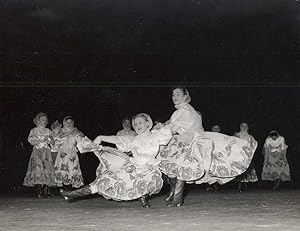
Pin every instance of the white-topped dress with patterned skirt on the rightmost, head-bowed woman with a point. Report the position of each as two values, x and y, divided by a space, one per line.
275 162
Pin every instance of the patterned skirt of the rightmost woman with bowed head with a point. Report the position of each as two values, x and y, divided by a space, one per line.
276 167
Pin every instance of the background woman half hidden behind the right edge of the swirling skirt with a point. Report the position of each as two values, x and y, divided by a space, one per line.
250 174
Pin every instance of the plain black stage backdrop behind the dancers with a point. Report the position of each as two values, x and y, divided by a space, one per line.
102 60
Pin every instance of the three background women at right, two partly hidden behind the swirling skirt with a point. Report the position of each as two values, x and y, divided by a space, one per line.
275 166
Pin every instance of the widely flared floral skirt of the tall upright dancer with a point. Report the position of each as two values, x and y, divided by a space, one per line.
213 158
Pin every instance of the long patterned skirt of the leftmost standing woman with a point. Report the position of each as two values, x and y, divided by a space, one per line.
40 168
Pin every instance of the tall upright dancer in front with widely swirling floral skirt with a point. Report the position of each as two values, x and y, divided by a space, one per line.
195 156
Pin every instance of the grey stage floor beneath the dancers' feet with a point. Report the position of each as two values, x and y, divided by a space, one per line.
228 210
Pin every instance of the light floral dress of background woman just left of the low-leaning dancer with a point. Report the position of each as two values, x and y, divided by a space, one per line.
67 167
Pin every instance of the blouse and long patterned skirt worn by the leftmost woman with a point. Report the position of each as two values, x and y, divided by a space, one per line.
40 167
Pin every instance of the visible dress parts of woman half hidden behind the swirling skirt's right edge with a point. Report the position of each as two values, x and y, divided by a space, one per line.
250 174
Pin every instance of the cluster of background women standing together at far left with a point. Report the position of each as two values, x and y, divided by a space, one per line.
54 160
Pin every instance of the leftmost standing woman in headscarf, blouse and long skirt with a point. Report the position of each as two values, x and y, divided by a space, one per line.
40 167
